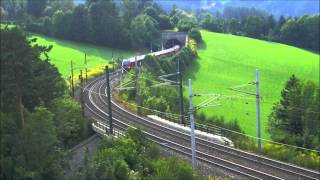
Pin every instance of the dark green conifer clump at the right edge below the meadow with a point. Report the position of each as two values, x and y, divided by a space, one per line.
295 119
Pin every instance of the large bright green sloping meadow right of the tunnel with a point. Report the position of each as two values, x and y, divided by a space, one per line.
226 61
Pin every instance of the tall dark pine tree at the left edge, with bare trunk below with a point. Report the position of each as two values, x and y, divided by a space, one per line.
22 69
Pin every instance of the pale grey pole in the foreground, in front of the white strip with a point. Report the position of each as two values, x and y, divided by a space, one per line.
191 111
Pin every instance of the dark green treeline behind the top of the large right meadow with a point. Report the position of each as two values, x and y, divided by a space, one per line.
298 31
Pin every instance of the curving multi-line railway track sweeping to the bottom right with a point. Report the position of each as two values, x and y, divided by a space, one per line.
239 162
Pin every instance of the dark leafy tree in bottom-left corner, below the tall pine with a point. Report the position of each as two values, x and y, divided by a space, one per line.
31 153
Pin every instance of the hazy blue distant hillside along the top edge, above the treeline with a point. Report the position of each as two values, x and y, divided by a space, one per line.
275 7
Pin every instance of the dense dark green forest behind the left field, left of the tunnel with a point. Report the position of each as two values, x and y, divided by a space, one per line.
90 22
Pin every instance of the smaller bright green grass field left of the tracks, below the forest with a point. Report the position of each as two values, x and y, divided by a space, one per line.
64 51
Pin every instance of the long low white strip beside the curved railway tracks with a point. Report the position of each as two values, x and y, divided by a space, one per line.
199 134
